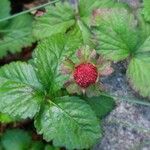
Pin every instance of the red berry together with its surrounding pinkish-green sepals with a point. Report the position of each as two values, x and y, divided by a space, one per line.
85 71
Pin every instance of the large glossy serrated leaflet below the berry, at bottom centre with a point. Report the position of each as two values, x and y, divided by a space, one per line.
69 122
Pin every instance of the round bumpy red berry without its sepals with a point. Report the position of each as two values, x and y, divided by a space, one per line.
85 74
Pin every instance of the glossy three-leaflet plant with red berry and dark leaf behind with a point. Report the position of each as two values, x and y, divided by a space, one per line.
37 90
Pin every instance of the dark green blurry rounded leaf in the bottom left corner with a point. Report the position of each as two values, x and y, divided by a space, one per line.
15 139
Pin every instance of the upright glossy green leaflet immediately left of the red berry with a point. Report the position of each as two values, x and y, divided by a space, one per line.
49 55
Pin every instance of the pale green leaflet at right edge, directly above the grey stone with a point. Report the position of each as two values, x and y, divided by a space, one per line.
138 73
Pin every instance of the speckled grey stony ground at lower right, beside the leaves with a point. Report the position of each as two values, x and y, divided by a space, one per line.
128 126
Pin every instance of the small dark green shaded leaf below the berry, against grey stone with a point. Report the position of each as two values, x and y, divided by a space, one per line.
101 105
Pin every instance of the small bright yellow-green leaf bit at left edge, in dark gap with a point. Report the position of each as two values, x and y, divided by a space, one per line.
5 118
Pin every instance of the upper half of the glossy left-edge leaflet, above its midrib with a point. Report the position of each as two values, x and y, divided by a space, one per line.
20 72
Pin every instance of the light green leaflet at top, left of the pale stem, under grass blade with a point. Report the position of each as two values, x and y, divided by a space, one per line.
57 19
